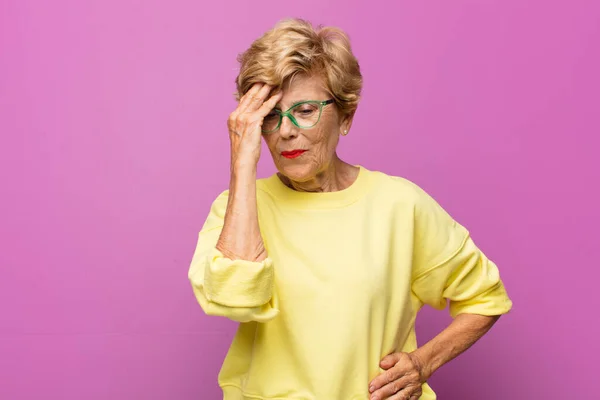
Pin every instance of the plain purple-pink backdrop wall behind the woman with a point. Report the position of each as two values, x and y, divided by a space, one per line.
114 143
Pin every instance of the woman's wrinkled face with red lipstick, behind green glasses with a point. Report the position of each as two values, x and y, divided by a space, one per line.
318 143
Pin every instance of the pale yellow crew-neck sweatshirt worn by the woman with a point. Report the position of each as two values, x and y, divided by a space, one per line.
345 276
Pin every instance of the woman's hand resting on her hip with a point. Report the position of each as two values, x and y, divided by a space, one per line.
402 379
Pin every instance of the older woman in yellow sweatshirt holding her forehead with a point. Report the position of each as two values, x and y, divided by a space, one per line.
326 264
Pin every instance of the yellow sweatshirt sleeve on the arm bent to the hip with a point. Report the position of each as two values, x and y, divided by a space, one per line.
449 267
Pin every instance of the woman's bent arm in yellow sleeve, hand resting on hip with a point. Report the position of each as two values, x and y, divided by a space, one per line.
447 268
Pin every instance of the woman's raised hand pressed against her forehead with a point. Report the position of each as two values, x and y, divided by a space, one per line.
245 124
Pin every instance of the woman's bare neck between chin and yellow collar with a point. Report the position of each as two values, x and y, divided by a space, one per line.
338 175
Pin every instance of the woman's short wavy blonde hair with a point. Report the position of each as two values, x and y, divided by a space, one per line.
294 47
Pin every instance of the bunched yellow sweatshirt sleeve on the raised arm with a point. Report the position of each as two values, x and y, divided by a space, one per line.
236 289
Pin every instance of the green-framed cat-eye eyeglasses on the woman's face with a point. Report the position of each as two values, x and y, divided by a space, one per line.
304 115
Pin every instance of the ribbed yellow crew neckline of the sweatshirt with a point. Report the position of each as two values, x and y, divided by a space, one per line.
310 200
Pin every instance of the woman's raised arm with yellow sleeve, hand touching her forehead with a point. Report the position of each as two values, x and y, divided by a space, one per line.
231 274
